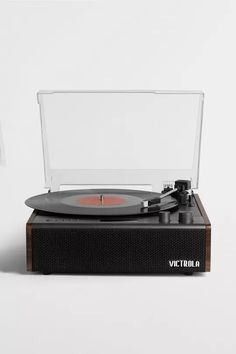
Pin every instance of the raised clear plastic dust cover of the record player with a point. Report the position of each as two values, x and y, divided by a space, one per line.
120 137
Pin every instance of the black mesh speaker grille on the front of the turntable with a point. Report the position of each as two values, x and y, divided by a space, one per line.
106 250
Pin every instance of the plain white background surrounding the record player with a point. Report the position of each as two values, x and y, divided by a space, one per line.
116 45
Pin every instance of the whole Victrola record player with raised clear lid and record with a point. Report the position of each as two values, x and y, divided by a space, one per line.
121 169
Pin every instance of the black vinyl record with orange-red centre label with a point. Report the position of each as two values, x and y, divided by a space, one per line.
99 202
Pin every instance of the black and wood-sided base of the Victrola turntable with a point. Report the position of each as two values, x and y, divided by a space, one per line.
148 244
